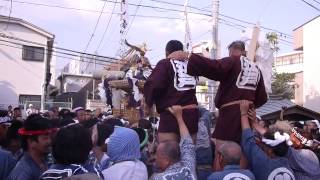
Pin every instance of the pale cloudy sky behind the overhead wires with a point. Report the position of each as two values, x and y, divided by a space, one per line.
73 28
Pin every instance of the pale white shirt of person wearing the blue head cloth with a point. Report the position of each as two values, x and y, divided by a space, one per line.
126 170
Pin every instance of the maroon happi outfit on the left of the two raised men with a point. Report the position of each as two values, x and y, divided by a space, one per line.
168 85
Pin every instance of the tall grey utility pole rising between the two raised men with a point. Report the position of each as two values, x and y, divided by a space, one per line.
214 51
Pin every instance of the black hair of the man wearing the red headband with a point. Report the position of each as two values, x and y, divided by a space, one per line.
32 123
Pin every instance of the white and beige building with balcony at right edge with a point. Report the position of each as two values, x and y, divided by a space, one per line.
305 63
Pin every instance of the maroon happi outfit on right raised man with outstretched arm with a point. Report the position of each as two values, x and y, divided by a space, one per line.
239 79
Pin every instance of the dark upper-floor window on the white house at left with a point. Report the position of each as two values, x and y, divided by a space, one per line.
31 53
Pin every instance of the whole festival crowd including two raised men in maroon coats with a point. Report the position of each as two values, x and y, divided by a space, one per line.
85 144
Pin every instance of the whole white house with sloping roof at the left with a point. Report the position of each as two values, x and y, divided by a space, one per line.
27 66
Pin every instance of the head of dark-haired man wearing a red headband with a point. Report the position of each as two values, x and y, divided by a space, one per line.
36 134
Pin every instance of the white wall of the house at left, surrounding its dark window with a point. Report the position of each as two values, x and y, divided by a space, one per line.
18 76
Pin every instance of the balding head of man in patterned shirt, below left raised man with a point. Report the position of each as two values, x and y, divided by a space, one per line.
167 153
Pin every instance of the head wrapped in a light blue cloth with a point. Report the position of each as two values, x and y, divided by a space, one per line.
123 145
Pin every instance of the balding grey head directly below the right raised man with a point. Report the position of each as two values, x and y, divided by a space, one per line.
229 153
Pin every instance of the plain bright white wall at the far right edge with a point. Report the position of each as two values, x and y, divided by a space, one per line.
311 87
